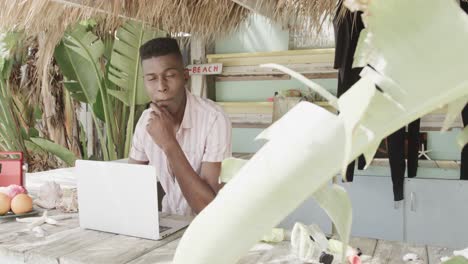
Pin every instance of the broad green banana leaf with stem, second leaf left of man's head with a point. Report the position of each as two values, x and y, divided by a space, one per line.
78 56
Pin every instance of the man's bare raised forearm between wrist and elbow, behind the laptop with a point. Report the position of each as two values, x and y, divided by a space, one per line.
195 190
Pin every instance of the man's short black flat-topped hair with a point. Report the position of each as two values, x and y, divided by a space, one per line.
159 47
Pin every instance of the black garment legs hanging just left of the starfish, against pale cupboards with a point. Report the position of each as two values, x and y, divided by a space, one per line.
396 153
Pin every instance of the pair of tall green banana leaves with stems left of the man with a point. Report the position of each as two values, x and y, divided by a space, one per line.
106 74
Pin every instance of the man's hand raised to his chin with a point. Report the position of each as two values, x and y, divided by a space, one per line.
162 127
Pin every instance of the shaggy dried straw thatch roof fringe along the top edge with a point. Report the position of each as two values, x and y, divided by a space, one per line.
205 18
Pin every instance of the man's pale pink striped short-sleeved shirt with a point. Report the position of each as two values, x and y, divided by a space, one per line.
204 136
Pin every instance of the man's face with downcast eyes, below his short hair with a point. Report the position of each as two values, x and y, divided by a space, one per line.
165 80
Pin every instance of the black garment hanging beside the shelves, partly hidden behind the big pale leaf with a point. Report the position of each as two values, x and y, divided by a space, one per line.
347 30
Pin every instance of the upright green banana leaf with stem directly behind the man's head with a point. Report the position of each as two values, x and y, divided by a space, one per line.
125 69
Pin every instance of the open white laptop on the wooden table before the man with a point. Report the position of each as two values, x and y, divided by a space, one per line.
122 198
